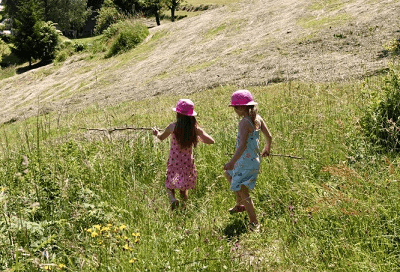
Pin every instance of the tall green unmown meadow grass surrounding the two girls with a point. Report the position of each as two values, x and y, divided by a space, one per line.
335 209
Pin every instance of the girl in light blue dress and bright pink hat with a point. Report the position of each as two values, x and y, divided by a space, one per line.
242 170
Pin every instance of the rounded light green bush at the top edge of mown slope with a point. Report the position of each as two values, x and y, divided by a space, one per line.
127 35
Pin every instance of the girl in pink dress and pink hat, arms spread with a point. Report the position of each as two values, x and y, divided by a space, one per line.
185 134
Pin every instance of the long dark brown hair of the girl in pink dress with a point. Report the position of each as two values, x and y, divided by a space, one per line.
185 130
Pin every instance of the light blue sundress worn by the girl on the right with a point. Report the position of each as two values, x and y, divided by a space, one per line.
247 167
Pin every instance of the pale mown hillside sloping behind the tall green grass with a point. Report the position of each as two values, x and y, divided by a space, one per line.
253 42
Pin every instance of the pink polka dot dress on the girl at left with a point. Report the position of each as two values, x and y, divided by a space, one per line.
181 170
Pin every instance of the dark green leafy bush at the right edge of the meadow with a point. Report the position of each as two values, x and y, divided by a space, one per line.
381 122
